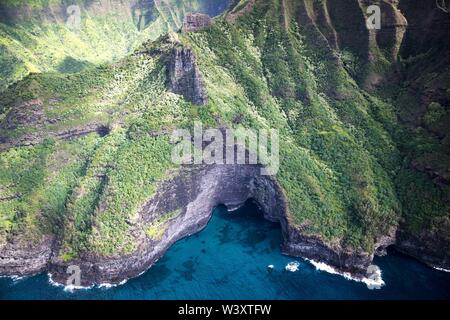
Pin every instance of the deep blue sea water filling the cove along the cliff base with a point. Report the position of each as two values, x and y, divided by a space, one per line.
229 259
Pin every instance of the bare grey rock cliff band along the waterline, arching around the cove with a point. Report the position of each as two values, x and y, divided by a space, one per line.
196 191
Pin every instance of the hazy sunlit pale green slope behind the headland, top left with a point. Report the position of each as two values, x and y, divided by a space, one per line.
35 37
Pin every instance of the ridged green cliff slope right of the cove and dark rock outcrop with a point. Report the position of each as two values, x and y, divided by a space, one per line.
337 162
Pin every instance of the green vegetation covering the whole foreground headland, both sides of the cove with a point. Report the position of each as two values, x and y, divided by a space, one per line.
340 169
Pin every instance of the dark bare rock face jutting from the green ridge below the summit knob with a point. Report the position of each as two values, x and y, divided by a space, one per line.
185 77
